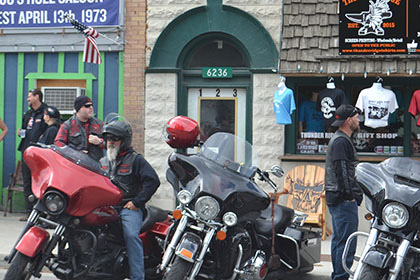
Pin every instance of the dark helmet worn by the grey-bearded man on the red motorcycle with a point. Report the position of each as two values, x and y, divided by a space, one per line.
118 126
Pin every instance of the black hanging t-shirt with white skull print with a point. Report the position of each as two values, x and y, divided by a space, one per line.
328 102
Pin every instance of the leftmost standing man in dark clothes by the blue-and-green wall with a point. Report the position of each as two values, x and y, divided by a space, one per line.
33 126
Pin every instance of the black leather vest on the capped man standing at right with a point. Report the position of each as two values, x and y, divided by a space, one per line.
330 178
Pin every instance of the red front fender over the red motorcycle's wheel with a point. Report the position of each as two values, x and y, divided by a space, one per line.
33 241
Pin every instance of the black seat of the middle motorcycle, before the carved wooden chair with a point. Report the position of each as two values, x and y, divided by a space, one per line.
282 218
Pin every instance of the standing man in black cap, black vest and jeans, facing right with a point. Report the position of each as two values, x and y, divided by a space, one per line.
342 192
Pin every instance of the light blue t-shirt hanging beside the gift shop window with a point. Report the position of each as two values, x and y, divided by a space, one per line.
284 105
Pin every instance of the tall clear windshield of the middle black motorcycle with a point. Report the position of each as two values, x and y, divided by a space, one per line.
230 152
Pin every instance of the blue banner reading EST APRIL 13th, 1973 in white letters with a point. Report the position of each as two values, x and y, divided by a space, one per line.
49 13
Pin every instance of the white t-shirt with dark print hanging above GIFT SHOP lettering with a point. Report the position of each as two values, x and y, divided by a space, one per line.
377 103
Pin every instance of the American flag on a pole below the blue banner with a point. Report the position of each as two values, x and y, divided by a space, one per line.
90 52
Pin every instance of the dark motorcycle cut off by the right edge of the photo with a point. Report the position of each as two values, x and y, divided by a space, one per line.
392 250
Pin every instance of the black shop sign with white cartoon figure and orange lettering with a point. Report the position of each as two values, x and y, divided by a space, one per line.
379 27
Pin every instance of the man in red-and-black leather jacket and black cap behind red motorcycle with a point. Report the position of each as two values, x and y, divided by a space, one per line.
82 130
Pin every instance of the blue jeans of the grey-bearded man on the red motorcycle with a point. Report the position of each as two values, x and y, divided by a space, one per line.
132 222
